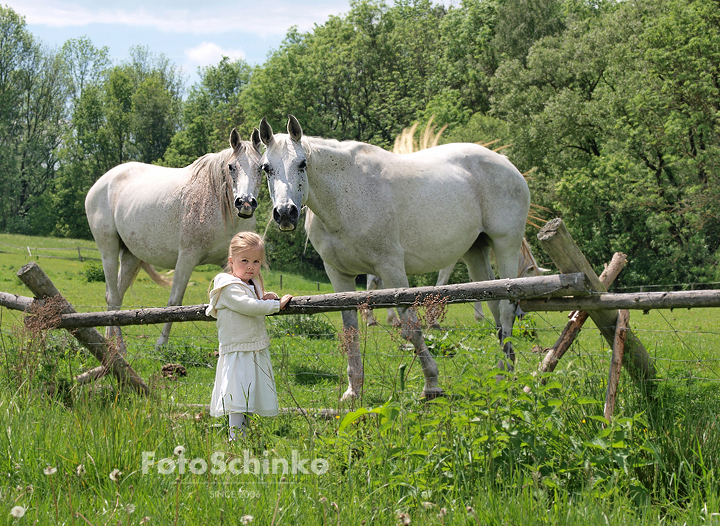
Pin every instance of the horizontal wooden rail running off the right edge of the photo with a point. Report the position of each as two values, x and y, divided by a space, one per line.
679 299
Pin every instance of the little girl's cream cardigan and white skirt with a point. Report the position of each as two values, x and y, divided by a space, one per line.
244 380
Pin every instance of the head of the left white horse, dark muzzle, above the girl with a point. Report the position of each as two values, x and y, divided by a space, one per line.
246 172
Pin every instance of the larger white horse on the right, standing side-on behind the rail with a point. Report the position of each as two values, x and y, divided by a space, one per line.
435 206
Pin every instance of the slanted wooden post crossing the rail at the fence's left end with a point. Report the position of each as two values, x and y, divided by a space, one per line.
40 285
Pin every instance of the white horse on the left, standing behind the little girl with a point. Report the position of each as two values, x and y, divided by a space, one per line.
172 217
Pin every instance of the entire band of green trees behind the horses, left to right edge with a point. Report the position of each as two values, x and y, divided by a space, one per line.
615 105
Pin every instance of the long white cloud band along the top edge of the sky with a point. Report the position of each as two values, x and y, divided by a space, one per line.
272 17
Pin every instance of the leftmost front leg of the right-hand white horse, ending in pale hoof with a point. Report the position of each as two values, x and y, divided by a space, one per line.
350 339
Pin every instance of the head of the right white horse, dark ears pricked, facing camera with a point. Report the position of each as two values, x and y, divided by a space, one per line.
285 164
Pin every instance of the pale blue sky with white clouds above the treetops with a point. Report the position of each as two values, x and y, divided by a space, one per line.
190 33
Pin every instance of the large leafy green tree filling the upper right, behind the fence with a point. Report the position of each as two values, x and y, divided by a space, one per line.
617 115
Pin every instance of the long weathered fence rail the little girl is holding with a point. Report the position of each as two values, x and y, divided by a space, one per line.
558 284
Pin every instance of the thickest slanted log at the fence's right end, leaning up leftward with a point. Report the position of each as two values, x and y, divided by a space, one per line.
559 244
